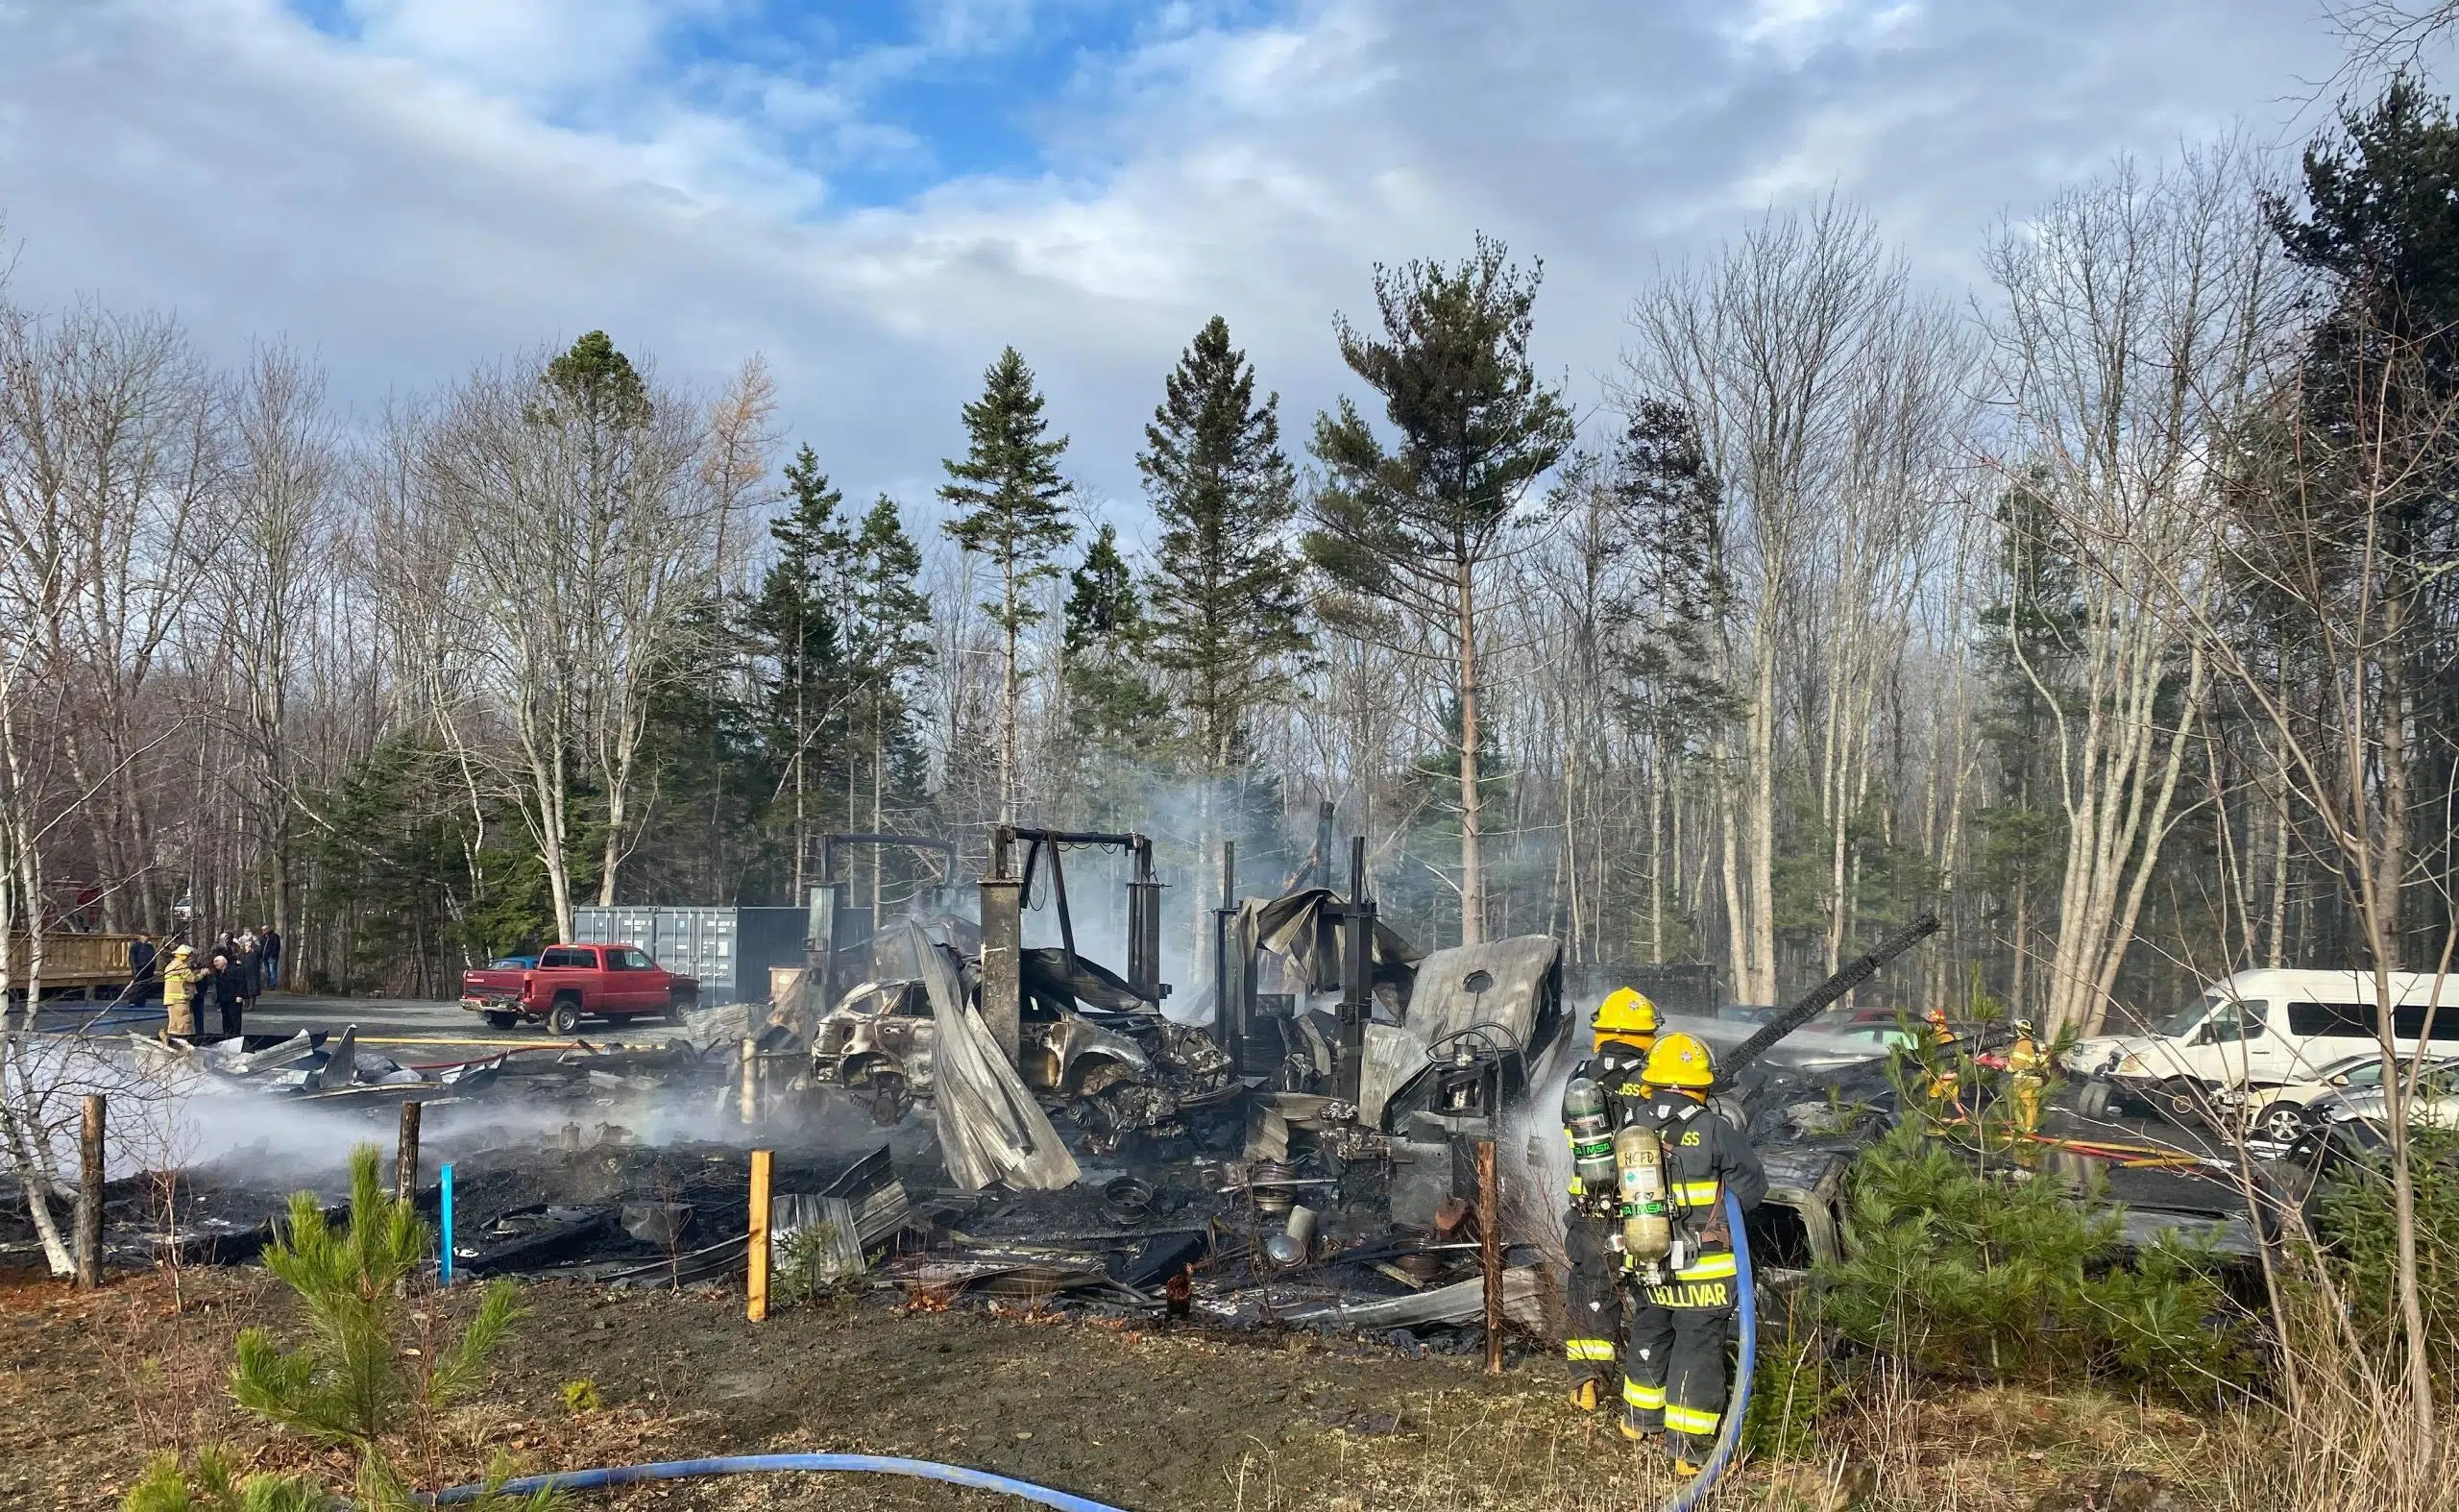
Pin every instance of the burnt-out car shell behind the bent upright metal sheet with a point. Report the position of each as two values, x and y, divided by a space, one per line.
1088 1044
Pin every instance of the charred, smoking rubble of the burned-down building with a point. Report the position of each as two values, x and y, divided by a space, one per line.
958 1112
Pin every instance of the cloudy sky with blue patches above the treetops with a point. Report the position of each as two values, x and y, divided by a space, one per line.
879 195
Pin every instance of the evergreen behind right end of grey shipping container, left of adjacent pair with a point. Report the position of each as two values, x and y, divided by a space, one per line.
798 623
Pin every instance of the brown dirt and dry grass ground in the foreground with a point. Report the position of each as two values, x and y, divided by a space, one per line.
1152 1420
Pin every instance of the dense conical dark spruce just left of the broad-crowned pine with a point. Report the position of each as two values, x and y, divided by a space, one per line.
1226 589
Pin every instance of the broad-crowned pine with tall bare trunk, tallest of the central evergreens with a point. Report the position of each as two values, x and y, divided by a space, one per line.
1415 525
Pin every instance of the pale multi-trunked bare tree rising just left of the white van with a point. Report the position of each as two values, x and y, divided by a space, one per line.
2133 333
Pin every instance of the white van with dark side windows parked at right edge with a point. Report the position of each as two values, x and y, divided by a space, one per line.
2264 1029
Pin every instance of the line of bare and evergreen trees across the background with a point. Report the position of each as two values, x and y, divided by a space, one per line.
2101 608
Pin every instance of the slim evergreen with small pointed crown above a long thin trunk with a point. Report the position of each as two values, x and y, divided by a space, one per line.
1012 495
